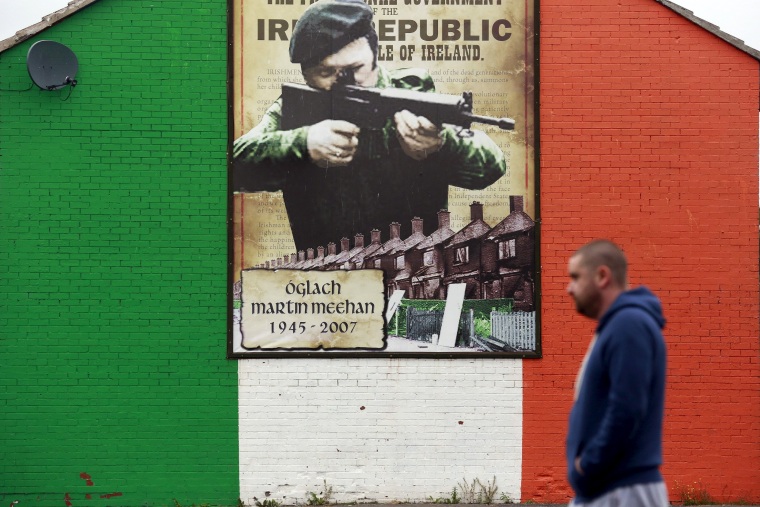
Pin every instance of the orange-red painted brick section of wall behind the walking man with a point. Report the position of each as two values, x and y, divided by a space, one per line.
649 137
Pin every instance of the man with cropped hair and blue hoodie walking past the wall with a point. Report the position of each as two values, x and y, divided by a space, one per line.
614 441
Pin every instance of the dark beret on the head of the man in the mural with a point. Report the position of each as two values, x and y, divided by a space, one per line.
326 27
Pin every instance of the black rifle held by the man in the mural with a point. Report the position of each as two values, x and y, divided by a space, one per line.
371 107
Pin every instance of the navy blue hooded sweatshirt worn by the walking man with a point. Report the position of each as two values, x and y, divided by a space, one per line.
616 421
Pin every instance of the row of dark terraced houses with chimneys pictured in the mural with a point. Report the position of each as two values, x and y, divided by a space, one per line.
493 262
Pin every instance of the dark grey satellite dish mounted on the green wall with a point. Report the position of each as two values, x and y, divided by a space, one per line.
51 65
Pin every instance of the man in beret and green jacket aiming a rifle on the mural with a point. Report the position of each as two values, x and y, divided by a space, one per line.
339 179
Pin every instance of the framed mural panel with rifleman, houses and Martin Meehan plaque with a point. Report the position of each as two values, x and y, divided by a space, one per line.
383 178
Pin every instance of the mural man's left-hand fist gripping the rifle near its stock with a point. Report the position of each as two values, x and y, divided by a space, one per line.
332 143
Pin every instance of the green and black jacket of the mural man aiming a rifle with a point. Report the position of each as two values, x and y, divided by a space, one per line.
381 185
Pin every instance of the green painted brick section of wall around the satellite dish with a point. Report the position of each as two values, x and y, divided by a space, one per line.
113 264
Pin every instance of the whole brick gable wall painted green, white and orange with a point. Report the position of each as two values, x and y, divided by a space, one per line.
114 275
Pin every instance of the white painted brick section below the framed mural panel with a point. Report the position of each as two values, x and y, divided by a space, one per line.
378 430
